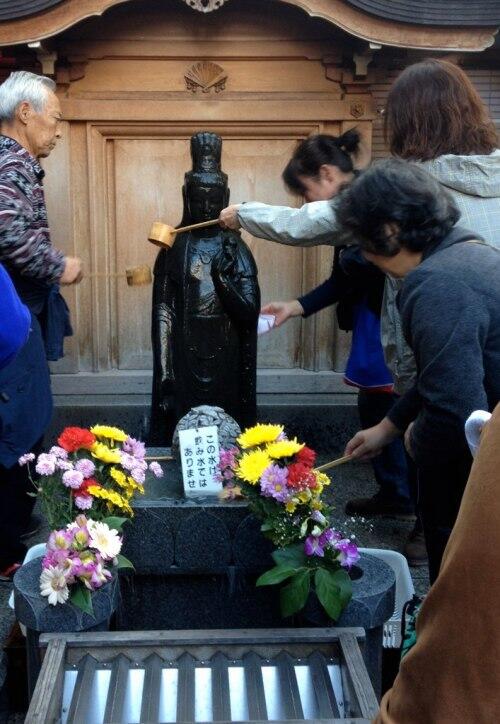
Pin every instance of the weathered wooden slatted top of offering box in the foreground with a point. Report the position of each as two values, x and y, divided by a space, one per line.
154 650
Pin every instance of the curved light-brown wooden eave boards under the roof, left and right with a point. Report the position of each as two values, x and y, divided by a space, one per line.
337 12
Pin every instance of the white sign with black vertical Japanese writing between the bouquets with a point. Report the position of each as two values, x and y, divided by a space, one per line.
200 457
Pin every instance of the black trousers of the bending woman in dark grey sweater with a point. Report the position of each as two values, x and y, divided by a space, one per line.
440 491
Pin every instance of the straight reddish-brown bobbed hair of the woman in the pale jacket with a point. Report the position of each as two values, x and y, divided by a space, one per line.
433 109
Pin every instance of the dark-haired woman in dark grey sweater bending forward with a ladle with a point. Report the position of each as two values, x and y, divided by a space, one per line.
449 303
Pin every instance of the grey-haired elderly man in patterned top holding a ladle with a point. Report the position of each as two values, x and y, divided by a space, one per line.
30 118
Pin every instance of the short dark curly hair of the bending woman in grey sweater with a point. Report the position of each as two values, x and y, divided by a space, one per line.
401 193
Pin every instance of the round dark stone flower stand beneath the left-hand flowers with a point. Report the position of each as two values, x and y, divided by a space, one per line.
35 612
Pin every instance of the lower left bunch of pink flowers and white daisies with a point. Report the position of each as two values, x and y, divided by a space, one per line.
79 560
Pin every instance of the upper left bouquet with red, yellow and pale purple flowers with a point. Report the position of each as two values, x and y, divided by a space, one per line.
98 469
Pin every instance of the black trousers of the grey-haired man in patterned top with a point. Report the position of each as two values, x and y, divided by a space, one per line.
16 507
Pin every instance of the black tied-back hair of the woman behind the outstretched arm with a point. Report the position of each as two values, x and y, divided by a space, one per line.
316 151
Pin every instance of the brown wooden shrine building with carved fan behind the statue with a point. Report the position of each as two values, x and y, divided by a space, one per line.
136 78
